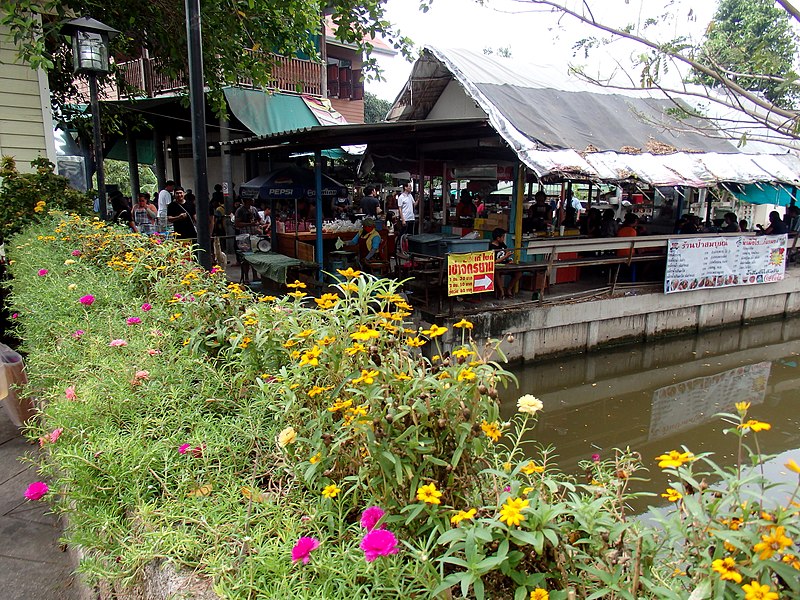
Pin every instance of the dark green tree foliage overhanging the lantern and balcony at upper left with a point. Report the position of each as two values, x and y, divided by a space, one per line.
240 37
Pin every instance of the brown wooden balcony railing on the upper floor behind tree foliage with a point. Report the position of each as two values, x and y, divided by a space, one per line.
288 75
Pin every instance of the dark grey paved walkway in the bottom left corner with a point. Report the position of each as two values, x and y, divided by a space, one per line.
33 565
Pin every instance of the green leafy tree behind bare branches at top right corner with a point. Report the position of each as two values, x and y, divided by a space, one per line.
752 42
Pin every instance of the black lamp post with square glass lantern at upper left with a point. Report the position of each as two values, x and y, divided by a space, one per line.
90 56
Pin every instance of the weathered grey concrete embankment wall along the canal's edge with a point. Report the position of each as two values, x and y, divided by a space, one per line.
575 327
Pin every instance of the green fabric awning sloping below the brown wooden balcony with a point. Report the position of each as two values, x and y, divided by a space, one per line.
264 113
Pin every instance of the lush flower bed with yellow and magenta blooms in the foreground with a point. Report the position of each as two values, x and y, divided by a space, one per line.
304 447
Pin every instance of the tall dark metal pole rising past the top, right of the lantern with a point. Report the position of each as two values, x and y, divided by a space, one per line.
199 145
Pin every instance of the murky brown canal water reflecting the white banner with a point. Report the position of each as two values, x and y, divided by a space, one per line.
663 395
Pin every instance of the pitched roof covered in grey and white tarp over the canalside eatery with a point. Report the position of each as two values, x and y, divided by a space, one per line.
558 124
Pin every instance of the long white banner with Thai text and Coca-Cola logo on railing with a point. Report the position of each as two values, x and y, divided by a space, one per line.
714 262
